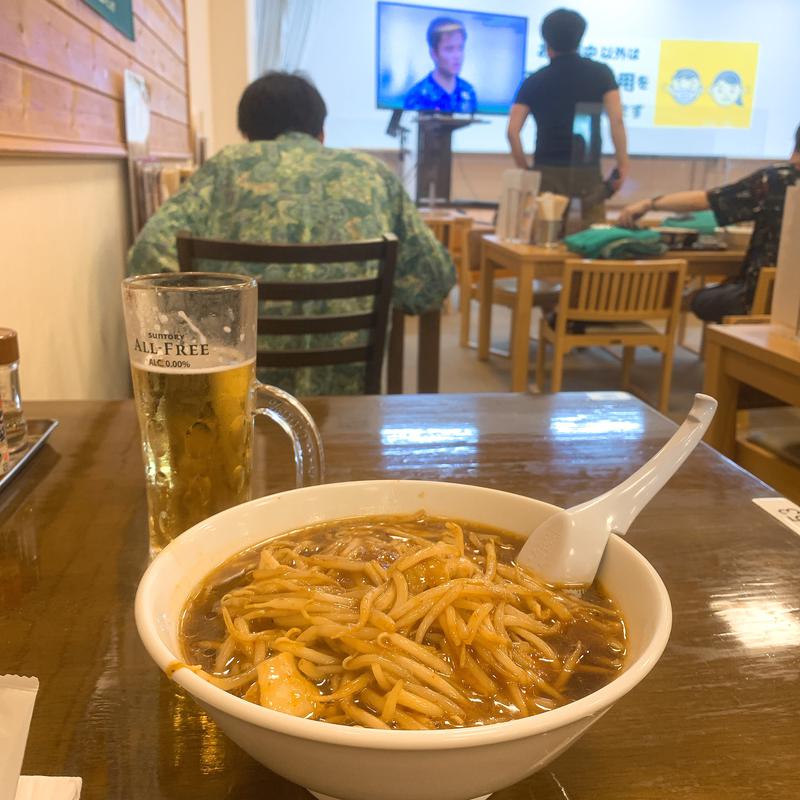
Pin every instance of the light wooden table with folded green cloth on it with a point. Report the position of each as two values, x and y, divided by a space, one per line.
529 261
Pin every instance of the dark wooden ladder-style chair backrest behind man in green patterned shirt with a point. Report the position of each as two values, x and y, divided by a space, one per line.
372 322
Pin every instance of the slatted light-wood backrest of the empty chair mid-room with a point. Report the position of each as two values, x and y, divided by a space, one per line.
619 291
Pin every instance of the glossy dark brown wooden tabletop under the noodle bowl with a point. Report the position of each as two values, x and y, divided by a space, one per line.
717 718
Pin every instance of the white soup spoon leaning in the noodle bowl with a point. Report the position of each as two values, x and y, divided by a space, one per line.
567 547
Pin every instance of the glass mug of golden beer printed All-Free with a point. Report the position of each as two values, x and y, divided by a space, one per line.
192 347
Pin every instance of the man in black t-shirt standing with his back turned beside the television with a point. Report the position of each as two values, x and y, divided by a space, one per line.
567 99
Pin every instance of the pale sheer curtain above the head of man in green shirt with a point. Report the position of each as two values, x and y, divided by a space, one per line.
281 33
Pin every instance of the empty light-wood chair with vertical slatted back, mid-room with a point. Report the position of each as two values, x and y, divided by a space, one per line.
626 298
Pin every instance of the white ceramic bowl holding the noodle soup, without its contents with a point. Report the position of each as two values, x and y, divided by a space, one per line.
363 764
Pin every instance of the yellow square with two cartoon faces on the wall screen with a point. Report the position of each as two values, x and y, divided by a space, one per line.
706 84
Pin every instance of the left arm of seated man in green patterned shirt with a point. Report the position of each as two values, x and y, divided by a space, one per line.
154 249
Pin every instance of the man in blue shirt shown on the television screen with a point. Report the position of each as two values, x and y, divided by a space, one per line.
442 90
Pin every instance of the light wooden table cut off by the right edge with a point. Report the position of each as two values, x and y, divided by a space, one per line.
765 357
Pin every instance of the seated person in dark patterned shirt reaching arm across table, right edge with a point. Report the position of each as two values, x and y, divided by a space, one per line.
759 198
